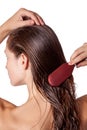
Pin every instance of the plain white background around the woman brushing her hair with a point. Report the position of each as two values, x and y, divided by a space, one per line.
68 18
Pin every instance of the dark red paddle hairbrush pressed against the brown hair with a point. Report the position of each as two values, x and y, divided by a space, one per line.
59 75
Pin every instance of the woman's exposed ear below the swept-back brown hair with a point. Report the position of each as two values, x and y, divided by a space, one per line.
23 61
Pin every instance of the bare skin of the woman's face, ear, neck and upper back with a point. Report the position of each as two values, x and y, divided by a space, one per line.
19 71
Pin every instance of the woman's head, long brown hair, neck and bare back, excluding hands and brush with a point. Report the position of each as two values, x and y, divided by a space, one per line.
33 52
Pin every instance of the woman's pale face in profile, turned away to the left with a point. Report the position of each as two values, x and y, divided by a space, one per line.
15 68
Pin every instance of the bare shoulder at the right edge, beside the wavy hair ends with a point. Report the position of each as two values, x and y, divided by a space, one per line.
82 107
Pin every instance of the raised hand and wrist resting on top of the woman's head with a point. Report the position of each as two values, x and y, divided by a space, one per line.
17 20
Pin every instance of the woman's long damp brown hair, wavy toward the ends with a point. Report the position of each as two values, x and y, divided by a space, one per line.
41 45
